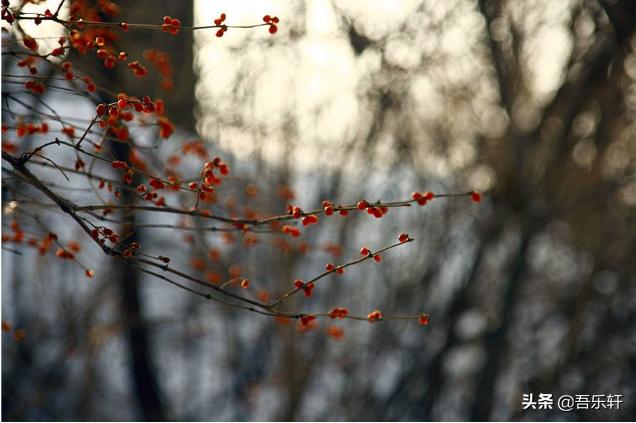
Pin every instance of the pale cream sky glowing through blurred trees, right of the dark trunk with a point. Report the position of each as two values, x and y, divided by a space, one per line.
309 74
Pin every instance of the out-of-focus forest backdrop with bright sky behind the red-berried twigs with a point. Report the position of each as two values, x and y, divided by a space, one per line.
532 291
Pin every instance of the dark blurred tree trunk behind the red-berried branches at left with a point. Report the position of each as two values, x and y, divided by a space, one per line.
144 380
